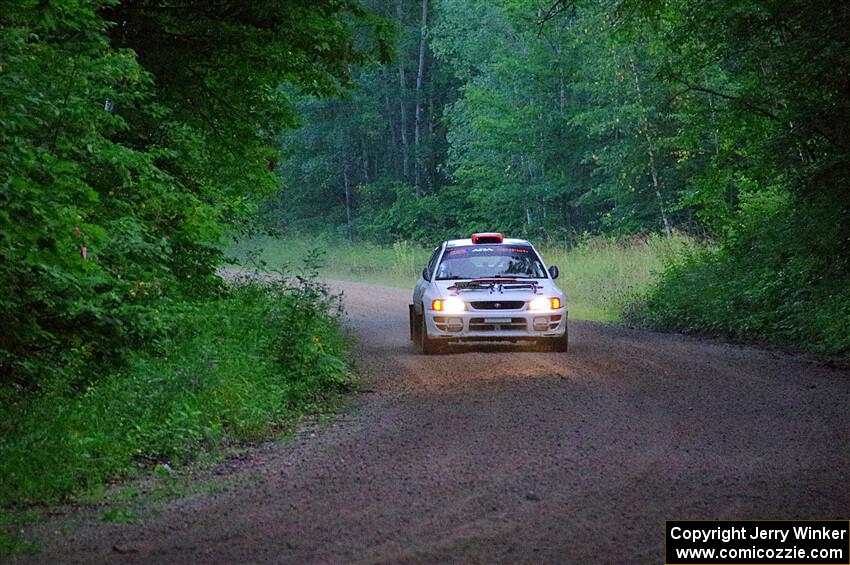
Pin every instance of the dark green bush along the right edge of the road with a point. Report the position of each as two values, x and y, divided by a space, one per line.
770 281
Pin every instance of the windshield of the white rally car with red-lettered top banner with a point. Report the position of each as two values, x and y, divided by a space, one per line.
489 261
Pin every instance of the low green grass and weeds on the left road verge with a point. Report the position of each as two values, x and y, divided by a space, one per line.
242 367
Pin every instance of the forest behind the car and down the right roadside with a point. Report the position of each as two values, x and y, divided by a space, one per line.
725 122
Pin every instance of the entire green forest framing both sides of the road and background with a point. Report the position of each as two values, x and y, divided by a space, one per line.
139 139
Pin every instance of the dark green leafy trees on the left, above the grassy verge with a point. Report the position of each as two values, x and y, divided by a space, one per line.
133 135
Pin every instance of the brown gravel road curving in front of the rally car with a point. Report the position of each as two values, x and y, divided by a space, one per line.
510 455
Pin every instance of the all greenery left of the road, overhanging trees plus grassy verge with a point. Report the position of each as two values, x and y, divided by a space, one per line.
133 137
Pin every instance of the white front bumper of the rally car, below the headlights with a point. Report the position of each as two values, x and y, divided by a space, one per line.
477 325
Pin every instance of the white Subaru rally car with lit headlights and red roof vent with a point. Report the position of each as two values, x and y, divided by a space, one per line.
487 288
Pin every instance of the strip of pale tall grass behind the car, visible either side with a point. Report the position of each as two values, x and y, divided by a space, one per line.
600 275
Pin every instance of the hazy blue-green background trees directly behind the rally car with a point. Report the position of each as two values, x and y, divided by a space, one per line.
541 133
